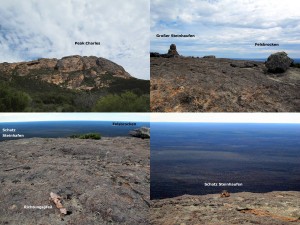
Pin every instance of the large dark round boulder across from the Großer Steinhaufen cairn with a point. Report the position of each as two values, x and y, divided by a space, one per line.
278 62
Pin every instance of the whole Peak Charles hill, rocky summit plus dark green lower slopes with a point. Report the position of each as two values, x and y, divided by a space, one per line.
72 83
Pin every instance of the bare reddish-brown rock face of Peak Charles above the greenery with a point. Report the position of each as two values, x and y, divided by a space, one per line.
73 72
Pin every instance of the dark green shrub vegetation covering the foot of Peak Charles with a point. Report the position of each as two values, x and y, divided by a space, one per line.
31 94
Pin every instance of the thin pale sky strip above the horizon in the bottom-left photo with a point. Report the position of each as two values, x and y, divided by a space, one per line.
25 117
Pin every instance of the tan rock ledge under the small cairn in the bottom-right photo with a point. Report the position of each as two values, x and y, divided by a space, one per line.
276 208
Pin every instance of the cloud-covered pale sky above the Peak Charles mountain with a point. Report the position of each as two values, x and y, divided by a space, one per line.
33 29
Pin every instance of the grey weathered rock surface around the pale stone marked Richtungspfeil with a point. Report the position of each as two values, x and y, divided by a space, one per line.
101 181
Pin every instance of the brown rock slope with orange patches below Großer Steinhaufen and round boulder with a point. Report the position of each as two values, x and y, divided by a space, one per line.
221 85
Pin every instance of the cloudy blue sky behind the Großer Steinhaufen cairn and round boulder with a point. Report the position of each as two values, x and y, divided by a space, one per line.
227 28
